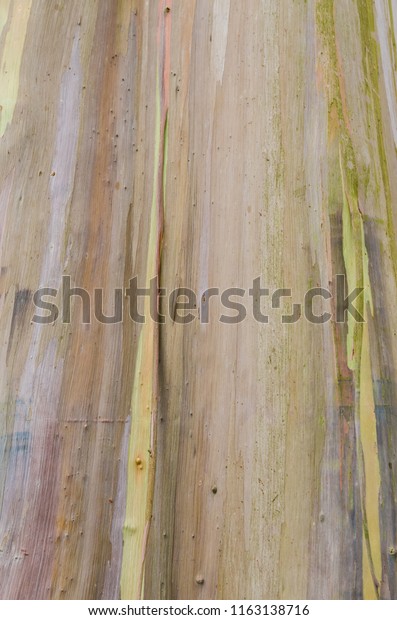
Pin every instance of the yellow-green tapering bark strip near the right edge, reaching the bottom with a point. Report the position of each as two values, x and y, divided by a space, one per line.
356 264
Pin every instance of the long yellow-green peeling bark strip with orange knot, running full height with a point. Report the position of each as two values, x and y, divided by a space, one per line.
145 393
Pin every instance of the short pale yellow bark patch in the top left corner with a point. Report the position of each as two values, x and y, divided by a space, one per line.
11 61
